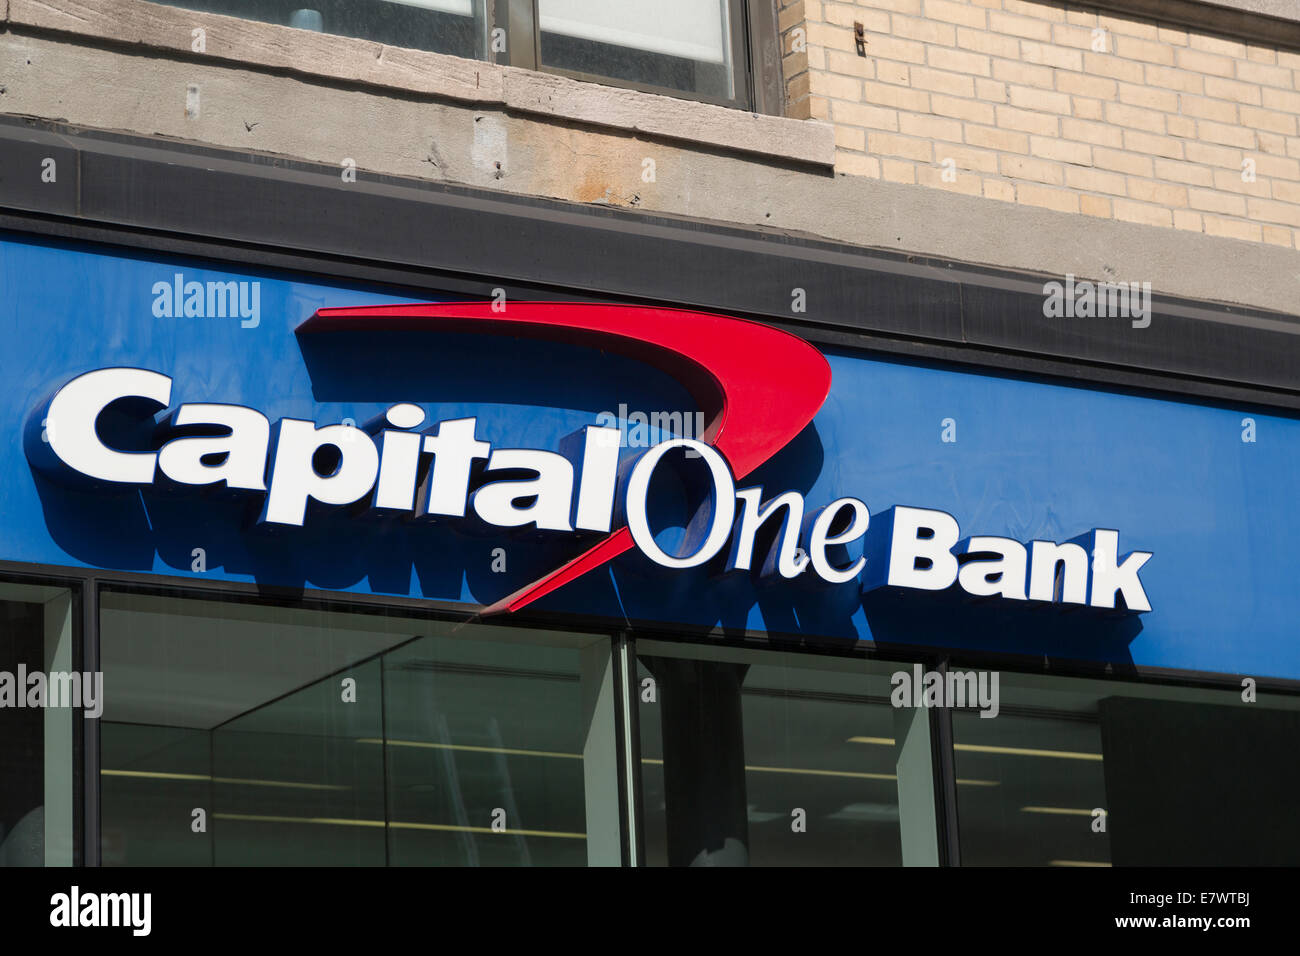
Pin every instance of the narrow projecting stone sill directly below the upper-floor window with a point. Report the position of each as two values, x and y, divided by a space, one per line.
365 63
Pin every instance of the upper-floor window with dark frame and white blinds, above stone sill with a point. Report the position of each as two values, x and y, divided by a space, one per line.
697 49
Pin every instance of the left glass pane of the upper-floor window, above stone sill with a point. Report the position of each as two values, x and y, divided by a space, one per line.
443 27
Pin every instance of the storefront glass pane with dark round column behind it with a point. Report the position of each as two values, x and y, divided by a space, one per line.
772 760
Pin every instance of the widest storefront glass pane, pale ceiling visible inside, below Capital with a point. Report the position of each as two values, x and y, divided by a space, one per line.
254 736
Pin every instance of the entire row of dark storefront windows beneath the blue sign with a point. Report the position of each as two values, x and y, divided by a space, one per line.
242 732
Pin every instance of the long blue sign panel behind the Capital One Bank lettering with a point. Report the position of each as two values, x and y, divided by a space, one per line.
1191 498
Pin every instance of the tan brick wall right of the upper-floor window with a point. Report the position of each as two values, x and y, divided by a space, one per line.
1056 105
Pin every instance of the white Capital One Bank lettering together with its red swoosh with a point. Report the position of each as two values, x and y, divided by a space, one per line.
759 387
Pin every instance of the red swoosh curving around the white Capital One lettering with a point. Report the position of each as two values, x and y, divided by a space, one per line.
759 387
